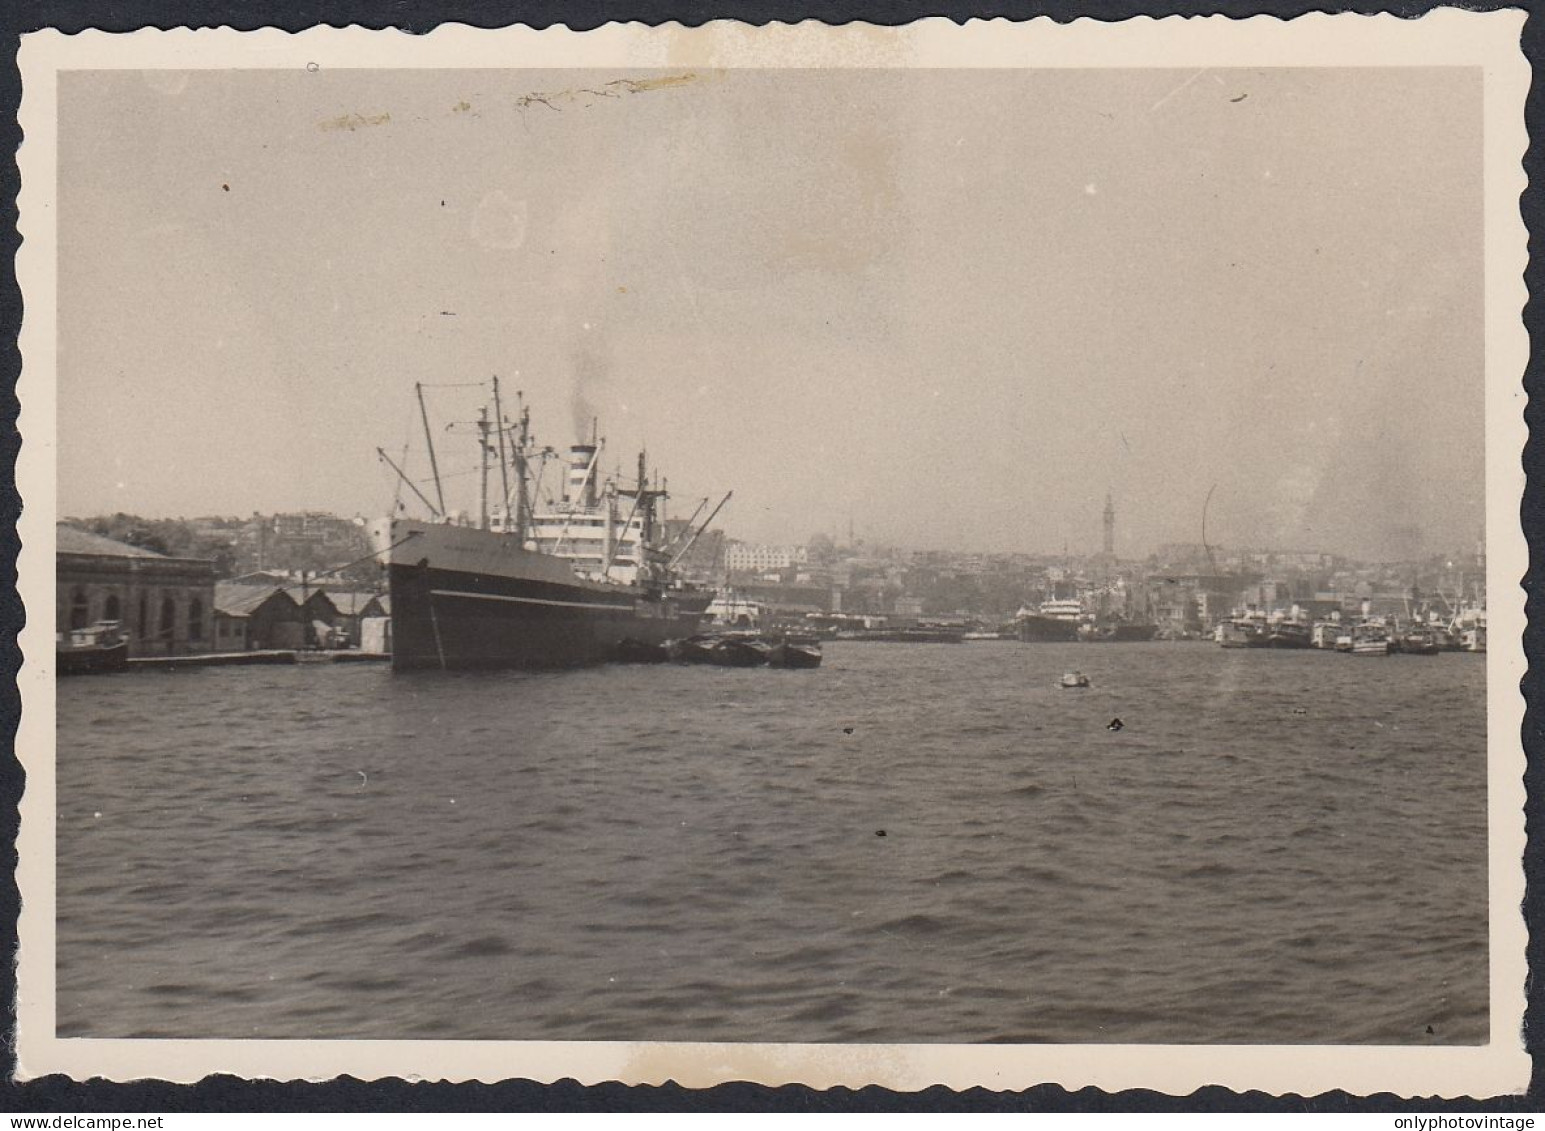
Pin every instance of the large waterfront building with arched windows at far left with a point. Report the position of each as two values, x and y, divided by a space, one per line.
165 605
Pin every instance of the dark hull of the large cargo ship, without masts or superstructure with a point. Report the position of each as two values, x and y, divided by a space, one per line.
474 600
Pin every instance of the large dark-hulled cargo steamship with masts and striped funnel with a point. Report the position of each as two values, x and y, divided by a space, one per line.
582 582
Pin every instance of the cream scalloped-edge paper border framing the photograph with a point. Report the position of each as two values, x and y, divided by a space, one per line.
1445 38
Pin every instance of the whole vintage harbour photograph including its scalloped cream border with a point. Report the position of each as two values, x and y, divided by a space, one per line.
779 540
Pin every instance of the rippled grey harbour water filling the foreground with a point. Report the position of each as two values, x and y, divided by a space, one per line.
915 843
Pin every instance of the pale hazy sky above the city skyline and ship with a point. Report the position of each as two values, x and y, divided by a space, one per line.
959 307
